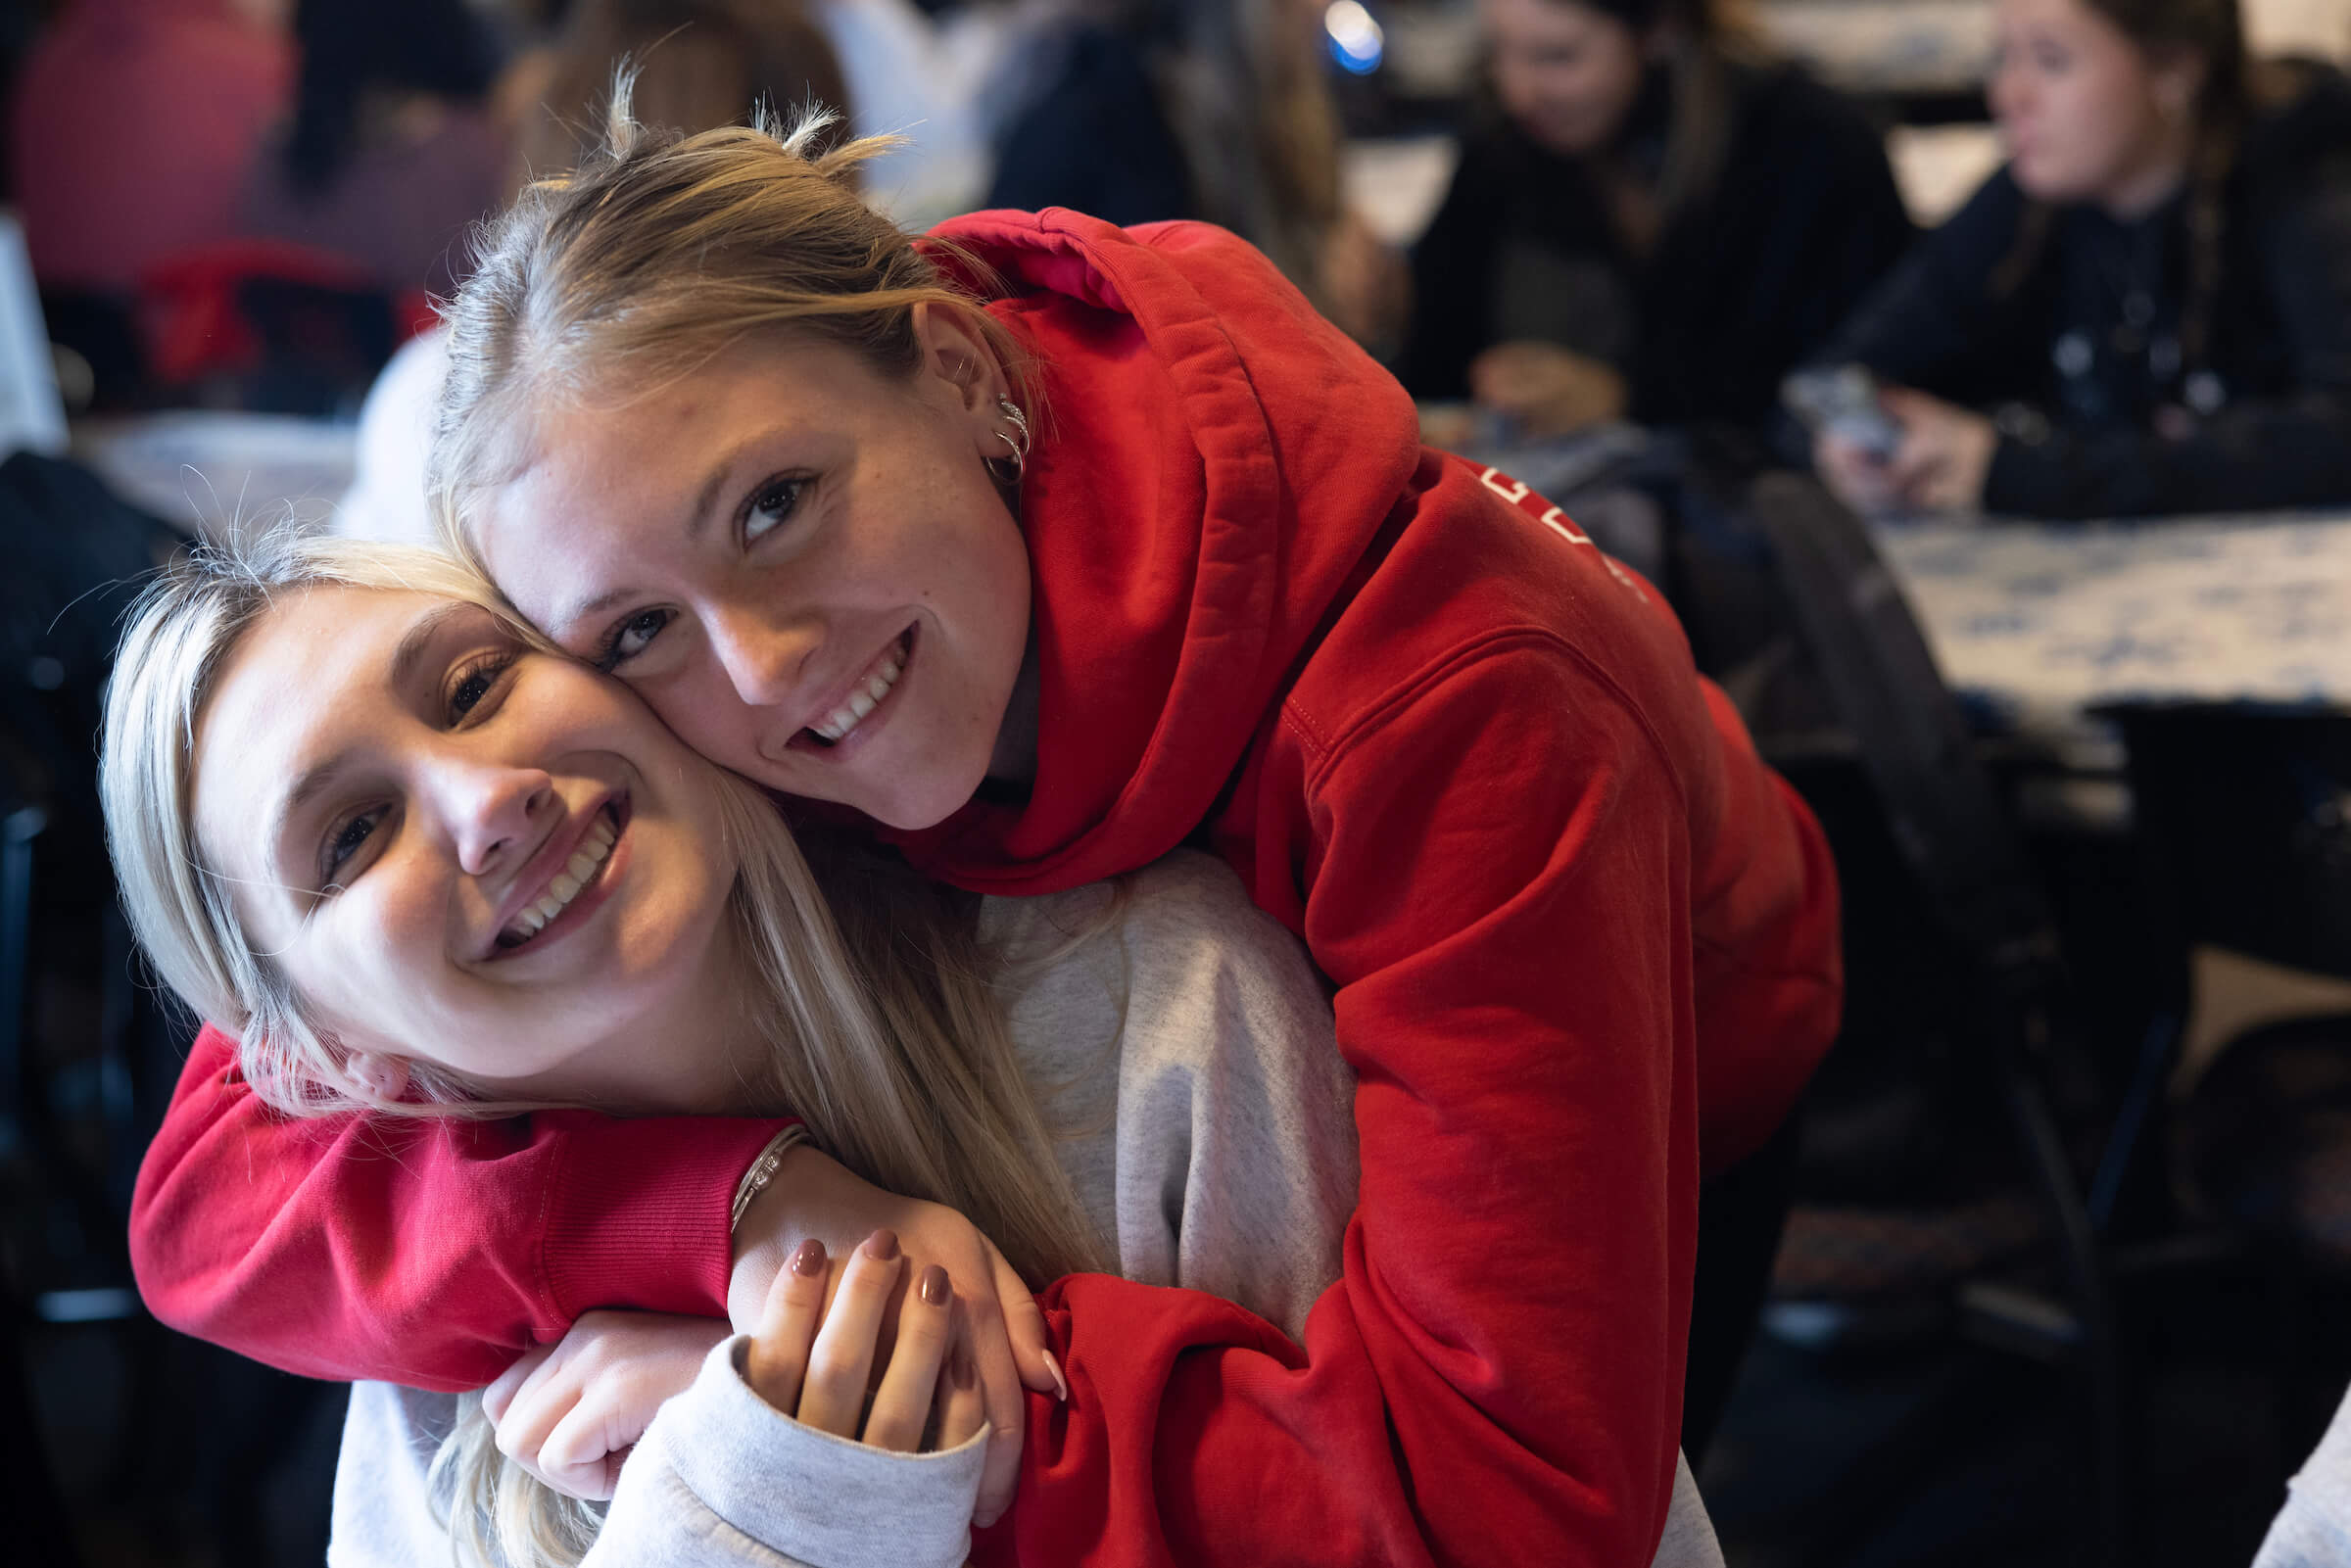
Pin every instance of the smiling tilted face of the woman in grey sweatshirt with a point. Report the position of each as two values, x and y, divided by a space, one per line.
474 855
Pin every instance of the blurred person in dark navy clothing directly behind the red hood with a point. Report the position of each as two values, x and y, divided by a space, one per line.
1188 109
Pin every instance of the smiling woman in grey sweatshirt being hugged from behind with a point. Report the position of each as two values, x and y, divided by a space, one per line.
429 869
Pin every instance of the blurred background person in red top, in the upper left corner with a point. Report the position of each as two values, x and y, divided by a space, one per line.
135 128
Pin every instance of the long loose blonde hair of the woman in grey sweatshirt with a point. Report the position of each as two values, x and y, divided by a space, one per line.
885 1033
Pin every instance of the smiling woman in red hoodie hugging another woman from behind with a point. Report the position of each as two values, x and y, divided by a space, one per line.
1047 547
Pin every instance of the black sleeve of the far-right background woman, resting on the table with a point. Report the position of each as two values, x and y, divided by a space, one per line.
2258 455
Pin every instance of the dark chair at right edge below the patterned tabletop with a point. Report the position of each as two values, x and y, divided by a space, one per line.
2244 824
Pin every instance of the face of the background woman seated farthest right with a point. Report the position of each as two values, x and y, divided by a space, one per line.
2089 116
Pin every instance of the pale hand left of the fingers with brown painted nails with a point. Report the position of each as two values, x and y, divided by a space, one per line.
572 1412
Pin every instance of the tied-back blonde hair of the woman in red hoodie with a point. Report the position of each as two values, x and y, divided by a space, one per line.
662 253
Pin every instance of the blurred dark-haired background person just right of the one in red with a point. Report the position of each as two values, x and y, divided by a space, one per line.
394 147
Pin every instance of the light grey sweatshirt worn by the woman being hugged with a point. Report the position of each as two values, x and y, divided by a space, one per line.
1191 1050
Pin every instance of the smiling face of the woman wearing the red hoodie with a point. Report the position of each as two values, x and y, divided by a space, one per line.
798 561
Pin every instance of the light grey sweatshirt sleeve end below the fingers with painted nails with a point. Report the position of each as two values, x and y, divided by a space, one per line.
805 1494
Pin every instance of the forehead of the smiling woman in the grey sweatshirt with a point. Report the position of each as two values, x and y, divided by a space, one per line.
312 674
